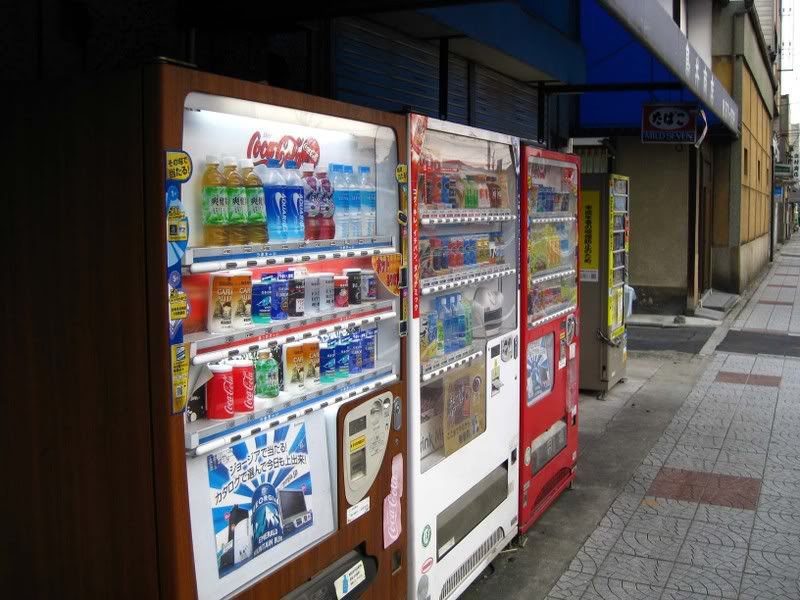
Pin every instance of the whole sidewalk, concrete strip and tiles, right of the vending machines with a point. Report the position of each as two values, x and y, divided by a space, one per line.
688 482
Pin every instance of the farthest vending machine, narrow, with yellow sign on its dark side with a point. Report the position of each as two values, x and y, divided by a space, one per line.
604 233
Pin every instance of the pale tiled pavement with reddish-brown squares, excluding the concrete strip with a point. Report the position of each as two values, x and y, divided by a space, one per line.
713 511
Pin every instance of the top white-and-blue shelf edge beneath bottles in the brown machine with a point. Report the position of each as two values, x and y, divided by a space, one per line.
208 260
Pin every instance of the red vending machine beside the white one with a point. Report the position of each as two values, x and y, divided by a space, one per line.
549 379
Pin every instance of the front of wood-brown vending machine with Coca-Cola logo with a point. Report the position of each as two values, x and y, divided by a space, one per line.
281 313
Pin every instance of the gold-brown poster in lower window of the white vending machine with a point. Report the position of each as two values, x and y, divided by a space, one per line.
465 406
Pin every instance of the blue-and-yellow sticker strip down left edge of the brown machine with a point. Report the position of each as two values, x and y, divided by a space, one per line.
178 170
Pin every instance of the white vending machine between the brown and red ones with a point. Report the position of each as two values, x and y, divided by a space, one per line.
464 355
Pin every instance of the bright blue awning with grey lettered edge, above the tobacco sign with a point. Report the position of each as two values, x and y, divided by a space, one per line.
637 47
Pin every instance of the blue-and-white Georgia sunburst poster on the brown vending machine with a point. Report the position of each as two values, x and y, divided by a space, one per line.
261 494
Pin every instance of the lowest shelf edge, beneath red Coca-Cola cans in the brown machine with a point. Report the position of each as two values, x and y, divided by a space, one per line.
204 435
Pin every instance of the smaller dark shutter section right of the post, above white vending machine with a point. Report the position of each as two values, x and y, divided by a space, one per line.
504 104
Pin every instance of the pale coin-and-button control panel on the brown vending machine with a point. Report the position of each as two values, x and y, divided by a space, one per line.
366 433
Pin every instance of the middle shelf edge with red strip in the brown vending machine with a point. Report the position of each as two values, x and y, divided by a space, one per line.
303 328
